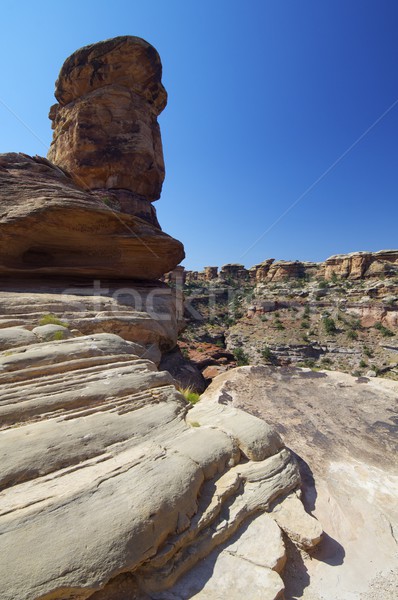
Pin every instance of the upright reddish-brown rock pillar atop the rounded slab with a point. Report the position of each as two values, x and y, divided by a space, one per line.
106 133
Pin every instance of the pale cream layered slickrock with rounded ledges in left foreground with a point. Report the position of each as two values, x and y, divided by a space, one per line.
105 471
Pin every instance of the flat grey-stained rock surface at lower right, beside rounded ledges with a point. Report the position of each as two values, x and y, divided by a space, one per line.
344 431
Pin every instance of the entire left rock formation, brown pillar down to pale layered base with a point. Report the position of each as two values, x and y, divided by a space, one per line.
113 486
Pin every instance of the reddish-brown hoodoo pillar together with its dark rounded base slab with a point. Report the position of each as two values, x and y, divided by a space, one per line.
89 211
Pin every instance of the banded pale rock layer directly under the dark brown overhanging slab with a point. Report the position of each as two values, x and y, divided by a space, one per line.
149 314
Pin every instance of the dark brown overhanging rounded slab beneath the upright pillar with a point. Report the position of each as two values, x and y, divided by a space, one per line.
50 226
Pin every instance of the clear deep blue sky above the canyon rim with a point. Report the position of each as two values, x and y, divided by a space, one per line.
264 96
